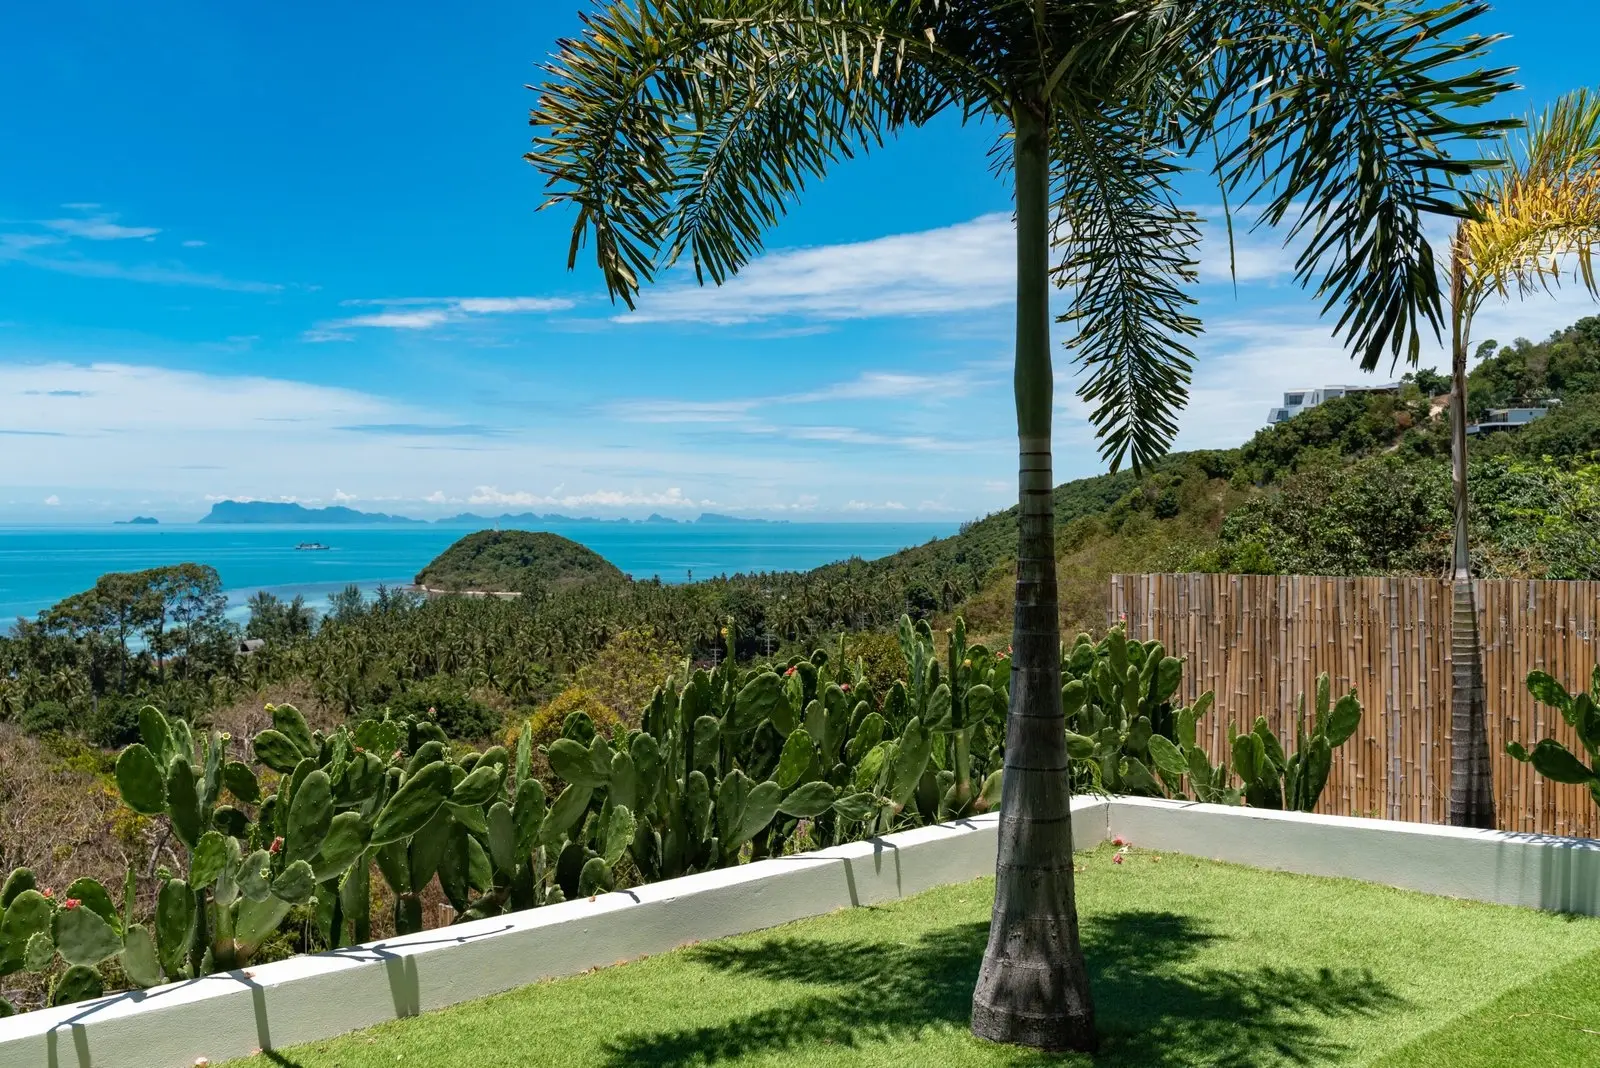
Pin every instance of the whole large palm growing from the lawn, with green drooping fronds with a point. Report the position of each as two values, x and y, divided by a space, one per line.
687 127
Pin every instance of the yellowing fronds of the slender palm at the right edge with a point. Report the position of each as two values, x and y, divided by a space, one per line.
1542 210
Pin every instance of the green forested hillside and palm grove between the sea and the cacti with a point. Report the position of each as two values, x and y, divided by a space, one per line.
1359 485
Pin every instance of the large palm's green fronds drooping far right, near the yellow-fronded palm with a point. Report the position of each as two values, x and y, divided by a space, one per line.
1342 118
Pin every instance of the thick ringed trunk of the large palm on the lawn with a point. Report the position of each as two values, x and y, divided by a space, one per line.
1034 989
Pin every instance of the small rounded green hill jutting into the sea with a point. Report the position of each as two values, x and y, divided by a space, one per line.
516 562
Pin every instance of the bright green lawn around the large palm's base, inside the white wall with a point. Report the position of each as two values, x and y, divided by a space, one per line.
1194 963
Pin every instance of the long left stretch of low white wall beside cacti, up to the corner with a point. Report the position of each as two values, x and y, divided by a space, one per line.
322 995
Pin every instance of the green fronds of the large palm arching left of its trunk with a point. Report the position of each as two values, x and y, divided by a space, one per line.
689 126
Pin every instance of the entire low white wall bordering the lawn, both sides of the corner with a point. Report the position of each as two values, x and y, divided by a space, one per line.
318 997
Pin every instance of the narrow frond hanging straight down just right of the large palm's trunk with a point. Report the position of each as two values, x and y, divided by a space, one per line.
1129 255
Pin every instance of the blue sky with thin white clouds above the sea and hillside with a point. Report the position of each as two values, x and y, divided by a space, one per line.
292 252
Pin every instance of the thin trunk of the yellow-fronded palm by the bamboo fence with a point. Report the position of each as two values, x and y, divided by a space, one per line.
1471 787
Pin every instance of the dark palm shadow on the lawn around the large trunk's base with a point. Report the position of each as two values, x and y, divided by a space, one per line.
1151 1014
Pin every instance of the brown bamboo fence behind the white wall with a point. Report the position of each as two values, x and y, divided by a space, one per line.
1258 642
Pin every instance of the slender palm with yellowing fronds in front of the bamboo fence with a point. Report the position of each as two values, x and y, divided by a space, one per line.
1530 218
